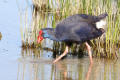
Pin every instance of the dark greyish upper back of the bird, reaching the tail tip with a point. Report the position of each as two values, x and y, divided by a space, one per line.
82 18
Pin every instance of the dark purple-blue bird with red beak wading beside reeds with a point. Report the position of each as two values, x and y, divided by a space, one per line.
77 28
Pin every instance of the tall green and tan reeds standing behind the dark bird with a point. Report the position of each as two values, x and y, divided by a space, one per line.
49 12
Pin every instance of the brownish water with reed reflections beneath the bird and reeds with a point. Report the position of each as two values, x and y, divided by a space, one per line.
40 67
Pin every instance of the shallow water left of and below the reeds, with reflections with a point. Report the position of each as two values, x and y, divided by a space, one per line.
19 64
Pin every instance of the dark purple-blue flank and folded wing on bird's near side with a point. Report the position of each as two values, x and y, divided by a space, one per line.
79 32
